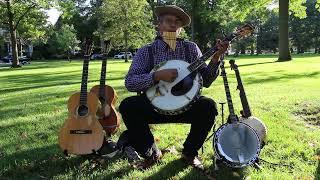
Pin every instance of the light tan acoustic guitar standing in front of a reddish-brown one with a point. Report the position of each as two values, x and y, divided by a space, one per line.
82 133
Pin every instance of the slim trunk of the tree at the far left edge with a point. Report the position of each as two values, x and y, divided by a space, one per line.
13 36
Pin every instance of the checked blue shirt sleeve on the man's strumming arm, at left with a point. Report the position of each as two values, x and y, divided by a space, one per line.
139 77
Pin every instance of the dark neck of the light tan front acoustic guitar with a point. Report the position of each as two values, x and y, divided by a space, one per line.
84 81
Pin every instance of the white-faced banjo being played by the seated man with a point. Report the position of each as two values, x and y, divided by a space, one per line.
172 98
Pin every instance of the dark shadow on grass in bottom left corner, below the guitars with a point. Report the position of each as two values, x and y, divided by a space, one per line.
48 162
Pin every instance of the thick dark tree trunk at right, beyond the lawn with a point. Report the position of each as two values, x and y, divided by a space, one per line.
284 53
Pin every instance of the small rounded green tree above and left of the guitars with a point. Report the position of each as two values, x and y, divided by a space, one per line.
66 40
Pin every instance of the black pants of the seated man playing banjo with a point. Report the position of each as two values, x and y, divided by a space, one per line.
137 113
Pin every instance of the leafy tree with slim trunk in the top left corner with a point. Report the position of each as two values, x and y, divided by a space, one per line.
20 12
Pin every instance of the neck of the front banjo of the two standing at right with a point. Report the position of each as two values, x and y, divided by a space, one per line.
233 117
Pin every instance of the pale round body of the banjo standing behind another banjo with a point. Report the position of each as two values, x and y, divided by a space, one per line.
258 126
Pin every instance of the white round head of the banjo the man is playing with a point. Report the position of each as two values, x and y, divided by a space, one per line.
161 96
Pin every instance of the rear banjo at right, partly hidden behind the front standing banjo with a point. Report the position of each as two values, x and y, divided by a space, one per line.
246 115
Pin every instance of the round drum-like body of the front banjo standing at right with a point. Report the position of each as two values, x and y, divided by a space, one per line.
236 144
